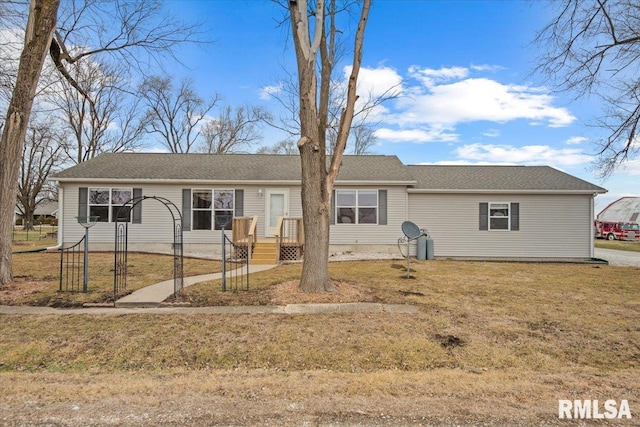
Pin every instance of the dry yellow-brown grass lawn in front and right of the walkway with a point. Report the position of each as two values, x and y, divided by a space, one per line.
492 344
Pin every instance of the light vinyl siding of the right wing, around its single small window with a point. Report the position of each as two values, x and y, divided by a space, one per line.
553 226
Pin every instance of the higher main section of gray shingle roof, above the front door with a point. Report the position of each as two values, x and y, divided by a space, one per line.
228 167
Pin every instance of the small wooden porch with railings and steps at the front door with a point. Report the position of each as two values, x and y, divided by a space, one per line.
286 245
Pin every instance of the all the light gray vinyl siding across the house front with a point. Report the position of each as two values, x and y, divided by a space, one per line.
551 226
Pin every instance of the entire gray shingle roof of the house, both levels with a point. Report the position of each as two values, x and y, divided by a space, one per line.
282 168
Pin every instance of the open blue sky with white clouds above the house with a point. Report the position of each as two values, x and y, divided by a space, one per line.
464 67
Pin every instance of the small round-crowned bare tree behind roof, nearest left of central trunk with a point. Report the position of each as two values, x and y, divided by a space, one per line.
234 130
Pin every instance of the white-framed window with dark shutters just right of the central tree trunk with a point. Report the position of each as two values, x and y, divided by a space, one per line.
356 206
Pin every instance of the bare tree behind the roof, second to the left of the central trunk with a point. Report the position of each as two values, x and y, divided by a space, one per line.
174 113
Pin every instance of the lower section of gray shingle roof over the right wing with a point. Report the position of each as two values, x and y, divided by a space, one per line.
497 178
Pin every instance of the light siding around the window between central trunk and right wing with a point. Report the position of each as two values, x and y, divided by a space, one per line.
370 234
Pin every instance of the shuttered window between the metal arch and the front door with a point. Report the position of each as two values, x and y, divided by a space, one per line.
212 208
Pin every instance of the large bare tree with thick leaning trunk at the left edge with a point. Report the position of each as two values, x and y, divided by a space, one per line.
130 32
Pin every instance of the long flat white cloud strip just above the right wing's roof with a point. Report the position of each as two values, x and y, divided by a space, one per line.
528 154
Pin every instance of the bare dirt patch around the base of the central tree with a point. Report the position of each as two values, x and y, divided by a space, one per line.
289 293
